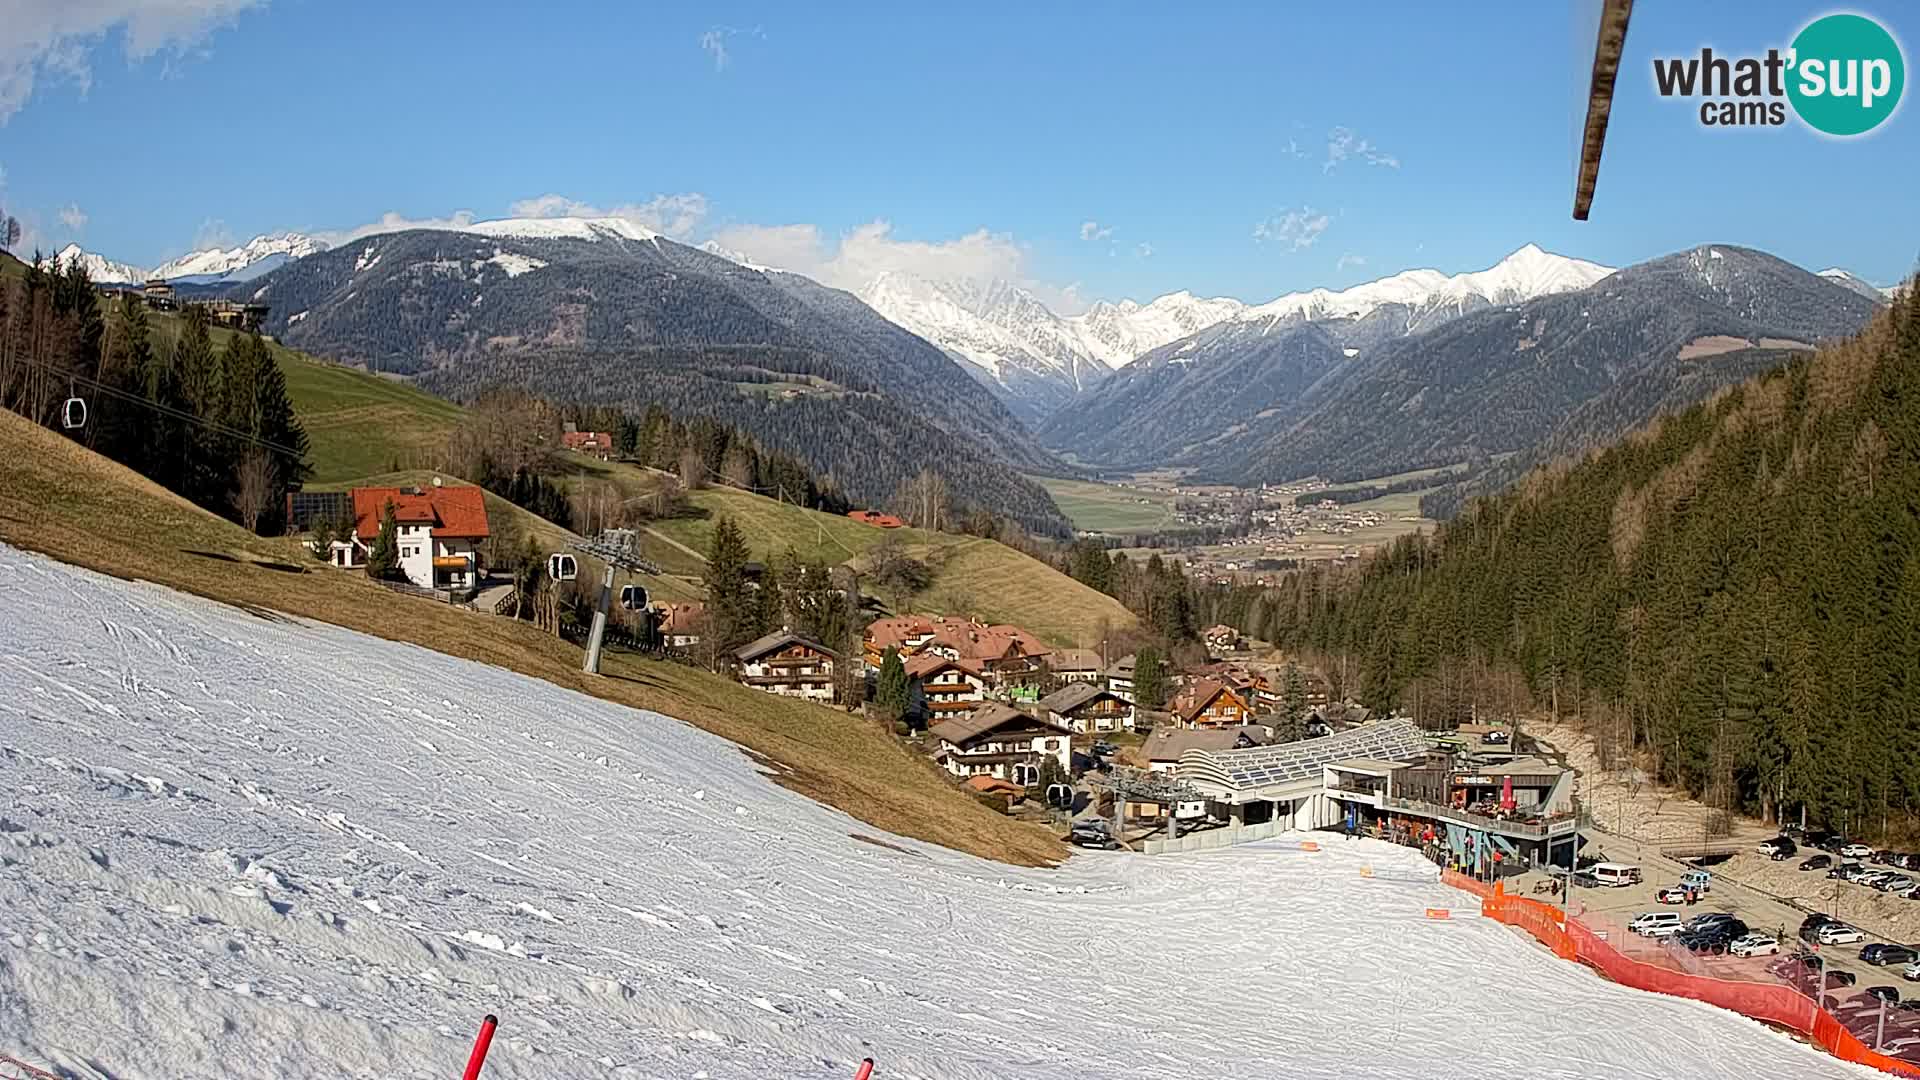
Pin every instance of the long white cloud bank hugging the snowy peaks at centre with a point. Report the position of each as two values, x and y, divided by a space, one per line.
859 257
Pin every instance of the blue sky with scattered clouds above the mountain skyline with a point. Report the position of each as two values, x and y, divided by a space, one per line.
1092 151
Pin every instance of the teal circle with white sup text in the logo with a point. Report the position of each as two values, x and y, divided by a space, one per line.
1846 74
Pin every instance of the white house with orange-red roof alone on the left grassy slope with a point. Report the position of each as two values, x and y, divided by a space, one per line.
439 533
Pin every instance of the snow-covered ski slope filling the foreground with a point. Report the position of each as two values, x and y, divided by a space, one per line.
245 847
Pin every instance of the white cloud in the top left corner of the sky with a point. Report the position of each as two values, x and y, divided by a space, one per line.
55 39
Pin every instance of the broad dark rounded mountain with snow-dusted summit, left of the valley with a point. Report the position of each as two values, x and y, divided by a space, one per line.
625 320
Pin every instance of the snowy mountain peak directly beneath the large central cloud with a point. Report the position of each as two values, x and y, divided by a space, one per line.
999 333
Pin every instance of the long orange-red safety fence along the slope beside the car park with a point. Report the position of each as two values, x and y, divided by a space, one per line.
1769 1002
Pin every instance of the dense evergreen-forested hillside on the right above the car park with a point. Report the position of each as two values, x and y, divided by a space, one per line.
1733 591
